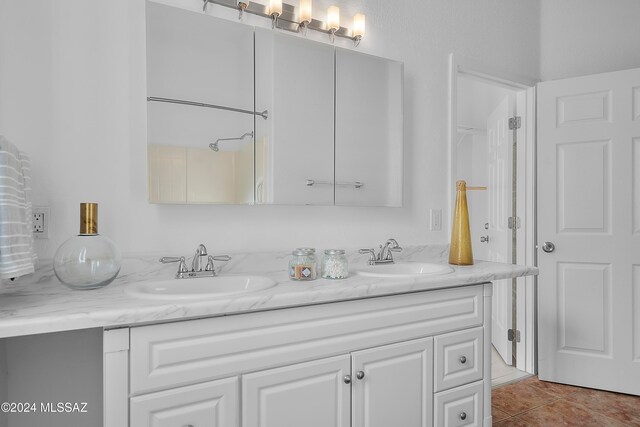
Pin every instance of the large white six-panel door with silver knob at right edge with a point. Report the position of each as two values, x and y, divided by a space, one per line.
589 209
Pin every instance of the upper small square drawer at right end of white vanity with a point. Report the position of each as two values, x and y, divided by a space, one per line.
458 358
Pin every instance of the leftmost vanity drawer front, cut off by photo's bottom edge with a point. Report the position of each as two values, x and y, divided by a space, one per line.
212 404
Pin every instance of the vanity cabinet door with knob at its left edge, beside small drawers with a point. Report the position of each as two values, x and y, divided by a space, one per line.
397 386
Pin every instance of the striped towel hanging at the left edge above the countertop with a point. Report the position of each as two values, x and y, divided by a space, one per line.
17 256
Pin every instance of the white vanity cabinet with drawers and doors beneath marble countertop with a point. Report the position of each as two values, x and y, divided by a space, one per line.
415 359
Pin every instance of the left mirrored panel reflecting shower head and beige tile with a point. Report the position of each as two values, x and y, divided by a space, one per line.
200 98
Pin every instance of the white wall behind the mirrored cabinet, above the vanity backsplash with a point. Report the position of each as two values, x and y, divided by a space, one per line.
72 94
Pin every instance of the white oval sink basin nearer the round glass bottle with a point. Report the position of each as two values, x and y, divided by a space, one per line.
201 287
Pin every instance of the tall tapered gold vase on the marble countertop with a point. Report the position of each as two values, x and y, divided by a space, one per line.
460 252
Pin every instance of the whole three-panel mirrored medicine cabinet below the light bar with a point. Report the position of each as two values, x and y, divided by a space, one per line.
244 115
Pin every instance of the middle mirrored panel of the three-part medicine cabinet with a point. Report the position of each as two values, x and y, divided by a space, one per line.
295 82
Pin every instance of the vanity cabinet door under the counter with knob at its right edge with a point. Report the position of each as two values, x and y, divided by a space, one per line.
311 394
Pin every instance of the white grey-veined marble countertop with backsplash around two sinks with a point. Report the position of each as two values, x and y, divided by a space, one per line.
39 303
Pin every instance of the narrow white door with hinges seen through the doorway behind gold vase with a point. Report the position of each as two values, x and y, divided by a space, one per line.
500 143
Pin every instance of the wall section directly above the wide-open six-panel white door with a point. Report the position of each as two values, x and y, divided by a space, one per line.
581 37
